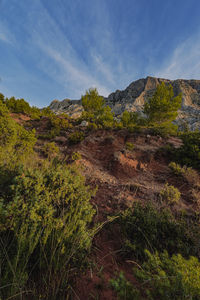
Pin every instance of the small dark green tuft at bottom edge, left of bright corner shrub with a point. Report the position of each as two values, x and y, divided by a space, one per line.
124 288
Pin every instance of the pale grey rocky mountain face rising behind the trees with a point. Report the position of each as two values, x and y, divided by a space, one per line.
138 92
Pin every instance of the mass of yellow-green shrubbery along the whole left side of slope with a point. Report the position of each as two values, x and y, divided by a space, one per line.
44 216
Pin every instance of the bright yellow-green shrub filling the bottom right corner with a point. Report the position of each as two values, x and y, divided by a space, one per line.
170 278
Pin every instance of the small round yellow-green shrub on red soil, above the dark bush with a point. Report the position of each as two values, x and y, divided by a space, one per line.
170 194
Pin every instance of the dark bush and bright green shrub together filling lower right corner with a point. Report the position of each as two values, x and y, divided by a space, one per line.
166 254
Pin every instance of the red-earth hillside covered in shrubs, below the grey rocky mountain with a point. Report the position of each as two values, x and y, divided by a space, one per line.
96 212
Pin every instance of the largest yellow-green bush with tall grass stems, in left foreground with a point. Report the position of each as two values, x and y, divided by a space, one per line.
44 217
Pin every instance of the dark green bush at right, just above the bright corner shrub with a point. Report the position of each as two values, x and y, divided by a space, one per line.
145 227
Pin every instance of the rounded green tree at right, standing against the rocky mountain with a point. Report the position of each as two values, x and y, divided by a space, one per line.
163 106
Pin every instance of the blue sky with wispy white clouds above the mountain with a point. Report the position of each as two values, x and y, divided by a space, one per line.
56 49
